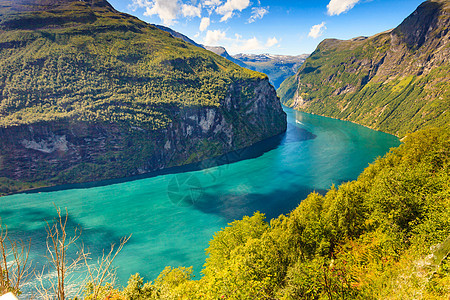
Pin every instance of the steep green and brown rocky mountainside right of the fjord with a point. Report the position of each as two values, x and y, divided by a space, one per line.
396 81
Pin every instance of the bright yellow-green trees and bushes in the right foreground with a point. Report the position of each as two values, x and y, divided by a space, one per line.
383 236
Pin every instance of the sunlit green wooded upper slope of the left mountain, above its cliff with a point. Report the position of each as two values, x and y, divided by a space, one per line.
91 64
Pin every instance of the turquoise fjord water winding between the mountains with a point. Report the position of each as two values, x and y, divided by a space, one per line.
173 216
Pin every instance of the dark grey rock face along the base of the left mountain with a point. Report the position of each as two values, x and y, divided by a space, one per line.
52 153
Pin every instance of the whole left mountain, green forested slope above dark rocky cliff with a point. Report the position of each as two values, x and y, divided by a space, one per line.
88 93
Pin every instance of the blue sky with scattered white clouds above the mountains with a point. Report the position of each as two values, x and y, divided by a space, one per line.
270 26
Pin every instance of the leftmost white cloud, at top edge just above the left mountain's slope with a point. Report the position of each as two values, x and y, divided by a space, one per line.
166 10
